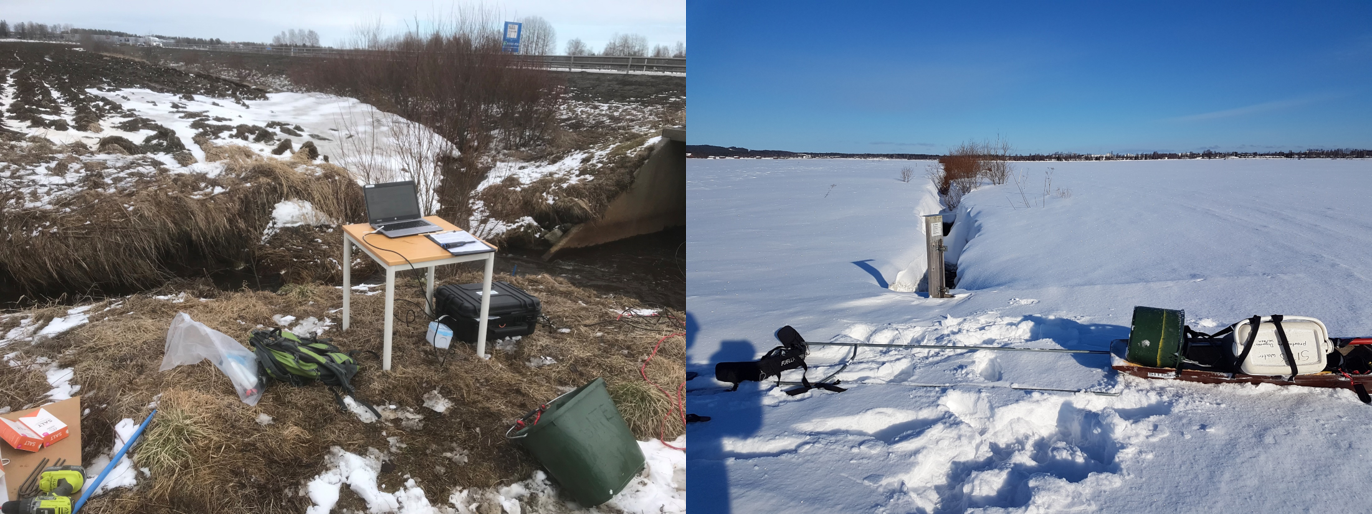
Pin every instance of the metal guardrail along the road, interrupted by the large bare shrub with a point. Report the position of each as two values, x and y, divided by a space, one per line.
552 62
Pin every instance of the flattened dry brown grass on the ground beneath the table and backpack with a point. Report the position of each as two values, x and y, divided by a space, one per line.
208 454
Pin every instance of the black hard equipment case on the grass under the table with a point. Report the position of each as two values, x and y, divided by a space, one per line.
514 312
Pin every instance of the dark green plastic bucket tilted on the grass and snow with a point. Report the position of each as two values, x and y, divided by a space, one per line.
584 443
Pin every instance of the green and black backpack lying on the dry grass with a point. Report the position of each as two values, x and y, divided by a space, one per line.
298 361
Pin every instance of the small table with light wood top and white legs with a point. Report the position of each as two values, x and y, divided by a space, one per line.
421 253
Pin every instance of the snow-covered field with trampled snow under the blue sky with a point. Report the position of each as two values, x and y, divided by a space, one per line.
817 245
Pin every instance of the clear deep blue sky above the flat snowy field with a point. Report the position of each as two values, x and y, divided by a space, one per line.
1074 77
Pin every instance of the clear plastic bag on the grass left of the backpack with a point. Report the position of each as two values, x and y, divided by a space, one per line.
190 342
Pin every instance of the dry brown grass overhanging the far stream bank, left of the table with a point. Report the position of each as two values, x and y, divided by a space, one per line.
137 235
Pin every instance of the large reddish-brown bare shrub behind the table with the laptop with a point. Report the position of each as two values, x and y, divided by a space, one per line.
455 80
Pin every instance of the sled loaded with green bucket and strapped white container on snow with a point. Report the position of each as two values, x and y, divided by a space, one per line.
1282 350
